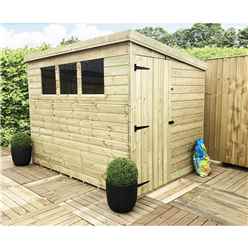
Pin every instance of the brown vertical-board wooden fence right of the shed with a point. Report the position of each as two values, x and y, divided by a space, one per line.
226 115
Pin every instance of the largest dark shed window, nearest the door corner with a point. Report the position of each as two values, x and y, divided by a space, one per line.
92 76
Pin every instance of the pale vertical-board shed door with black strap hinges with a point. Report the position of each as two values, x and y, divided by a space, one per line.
150 109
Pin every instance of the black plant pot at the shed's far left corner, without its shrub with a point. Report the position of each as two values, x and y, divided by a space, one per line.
21 155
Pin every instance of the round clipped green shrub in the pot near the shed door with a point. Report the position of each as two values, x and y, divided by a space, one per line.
122 172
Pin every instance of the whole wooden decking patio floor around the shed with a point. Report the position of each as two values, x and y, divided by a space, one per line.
34 195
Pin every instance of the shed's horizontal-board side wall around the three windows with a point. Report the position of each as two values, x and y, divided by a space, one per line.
79 134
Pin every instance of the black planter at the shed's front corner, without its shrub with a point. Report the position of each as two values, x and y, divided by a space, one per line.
121 199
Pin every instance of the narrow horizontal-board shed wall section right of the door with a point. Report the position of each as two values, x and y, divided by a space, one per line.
186 109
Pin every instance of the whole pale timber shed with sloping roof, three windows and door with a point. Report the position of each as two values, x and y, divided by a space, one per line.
119 95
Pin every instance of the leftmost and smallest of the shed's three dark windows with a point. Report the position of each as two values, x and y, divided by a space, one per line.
48 80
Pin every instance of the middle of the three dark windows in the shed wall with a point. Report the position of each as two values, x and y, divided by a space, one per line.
68 78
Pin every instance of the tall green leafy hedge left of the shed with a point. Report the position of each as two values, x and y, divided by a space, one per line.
14 92
